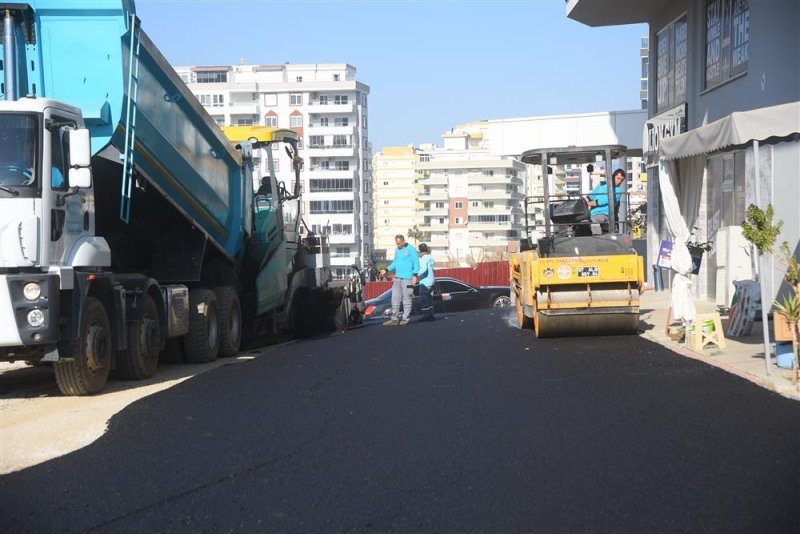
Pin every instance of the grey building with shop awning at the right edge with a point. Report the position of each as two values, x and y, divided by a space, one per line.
703 71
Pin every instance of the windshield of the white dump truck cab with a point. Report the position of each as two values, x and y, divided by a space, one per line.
18 152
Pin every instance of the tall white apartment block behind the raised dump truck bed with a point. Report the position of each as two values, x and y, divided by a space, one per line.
327 106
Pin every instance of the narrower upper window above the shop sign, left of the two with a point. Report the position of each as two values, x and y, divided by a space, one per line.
671 66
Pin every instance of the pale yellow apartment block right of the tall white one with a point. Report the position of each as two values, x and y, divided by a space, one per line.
394 173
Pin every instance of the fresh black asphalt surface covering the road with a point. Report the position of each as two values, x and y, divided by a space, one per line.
465 424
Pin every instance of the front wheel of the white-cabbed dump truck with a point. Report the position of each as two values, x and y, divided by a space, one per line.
87 372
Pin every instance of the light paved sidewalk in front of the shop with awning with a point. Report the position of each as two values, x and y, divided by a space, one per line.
744 356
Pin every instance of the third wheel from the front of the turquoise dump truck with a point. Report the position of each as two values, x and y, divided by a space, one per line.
202 342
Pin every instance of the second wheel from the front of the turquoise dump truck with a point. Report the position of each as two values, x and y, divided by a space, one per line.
144 343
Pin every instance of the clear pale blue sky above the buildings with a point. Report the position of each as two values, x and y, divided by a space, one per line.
430 65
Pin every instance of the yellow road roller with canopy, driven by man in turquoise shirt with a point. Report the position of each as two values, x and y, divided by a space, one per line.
576 275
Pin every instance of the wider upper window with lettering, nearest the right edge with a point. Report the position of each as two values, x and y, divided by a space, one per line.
727 40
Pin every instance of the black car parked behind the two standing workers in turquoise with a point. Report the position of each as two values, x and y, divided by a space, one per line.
449 295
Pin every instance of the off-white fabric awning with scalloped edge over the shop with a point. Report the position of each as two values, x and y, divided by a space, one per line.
739 128
